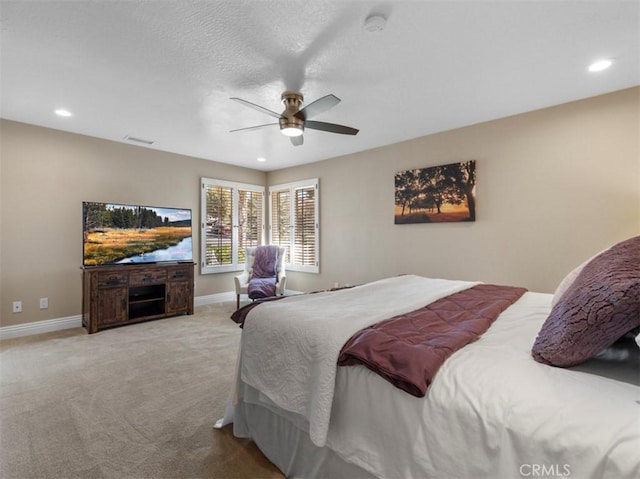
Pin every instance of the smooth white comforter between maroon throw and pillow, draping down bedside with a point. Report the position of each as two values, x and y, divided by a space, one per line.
492 412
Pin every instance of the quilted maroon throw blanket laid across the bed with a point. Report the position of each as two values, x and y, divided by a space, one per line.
407 350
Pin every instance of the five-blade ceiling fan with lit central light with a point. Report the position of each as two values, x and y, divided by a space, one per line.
293 120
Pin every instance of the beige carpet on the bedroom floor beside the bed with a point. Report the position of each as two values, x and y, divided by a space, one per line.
133 402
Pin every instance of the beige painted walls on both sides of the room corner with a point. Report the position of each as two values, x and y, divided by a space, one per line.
554 187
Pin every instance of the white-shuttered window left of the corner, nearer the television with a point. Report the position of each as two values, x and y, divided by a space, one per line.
232 219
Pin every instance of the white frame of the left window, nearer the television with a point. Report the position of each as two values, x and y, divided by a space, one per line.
236 187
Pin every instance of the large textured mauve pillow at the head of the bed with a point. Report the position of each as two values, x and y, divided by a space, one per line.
601 305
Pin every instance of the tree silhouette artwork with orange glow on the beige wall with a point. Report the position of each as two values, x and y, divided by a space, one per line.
437 194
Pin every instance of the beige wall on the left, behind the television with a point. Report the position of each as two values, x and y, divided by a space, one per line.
47 174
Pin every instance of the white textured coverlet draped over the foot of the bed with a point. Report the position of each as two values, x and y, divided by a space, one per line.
304 352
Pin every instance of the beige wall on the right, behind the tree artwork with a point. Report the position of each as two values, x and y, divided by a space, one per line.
554 187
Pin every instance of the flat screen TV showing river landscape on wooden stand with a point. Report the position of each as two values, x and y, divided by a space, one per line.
120 234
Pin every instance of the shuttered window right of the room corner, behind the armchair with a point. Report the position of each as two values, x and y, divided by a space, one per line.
295 223
